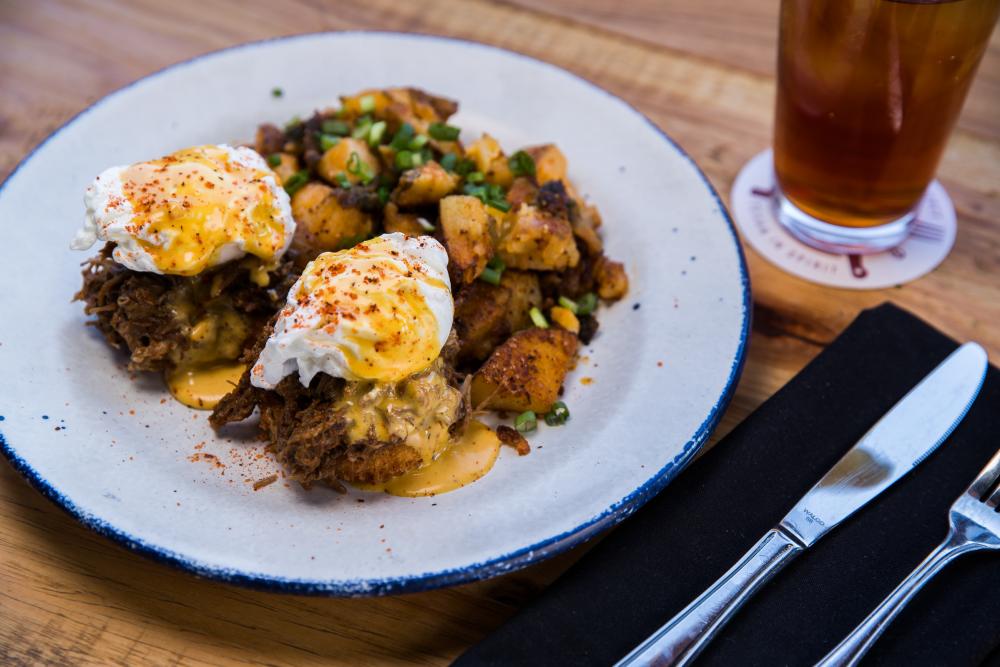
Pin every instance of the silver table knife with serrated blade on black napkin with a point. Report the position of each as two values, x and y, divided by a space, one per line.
899 441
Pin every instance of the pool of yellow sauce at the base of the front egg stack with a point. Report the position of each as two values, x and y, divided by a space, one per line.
466 459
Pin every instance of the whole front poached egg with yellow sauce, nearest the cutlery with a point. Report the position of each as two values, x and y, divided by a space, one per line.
379 311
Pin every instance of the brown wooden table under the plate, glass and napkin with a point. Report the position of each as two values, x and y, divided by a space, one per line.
701 70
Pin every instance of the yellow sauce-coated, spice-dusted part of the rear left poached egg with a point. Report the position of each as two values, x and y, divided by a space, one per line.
188 205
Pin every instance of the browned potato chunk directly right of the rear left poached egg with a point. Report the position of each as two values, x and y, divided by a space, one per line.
323 223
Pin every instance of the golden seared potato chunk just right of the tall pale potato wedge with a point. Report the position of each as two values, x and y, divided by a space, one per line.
536 240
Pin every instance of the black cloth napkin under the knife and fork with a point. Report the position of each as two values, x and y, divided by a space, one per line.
658 560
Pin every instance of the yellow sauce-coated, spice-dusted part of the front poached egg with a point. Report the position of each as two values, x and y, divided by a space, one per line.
371 293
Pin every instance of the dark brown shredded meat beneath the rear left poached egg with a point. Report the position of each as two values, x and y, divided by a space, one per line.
135 310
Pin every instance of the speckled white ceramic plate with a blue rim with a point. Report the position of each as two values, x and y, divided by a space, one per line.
129 462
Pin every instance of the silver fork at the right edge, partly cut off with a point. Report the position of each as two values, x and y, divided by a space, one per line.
974 524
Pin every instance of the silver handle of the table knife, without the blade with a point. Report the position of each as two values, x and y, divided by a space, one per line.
686 634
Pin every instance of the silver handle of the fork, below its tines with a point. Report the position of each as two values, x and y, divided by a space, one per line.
855 645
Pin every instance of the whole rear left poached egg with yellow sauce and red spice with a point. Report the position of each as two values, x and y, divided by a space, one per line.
189 211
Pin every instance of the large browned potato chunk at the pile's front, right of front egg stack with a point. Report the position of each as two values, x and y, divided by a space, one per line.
526 372
